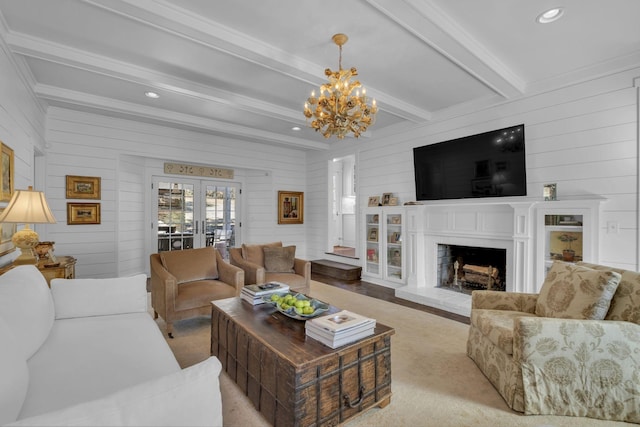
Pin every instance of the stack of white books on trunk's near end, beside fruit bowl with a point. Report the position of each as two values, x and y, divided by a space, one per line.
339 329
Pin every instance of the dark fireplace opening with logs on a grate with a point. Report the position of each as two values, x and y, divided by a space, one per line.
465 268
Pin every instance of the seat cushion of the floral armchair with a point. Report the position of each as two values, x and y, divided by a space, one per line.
497 326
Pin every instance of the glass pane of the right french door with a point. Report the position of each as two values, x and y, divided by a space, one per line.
220 217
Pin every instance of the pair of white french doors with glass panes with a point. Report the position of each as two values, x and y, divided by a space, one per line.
195 213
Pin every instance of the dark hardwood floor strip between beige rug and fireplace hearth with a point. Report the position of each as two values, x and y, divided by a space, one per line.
384 293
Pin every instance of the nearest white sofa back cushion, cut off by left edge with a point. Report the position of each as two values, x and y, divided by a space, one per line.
14 376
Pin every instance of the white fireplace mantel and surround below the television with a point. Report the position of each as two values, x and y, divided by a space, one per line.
514 224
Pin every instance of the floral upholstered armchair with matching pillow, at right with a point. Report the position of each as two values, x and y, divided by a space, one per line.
573 349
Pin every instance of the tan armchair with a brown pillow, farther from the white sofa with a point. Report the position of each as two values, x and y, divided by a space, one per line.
251 259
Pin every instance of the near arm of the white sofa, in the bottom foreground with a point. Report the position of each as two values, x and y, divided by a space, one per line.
188 397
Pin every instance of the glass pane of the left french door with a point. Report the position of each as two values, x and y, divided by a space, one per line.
175 216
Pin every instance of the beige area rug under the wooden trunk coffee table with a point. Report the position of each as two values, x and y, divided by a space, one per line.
434 383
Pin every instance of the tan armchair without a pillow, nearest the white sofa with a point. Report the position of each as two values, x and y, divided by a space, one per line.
183 283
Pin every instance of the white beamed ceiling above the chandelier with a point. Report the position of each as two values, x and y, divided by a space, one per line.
243 68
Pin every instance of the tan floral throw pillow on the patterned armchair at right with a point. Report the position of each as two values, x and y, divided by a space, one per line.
572 291
